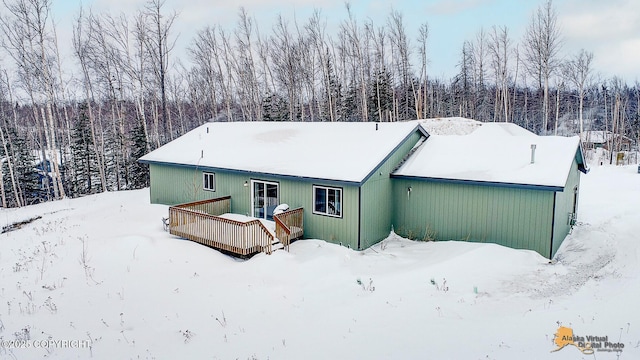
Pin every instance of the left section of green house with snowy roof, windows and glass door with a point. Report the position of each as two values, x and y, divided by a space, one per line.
339 173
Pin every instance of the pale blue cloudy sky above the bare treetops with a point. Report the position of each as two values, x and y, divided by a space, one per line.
610 29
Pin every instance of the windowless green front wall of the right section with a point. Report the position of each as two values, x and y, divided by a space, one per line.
518 218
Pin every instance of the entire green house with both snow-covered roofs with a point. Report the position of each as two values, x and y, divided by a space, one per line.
354 182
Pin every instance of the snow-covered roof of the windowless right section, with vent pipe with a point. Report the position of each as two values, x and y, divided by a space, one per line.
494 153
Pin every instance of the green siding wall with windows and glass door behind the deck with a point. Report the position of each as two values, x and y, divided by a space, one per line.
172 185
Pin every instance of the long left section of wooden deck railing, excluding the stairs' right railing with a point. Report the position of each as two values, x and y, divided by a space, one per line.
199 222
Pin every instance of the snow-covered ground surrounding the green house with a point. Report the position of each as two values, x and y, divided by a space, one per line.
98 277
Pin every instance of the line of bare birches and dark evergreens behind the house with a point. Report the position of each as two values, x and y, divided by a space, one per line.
71 129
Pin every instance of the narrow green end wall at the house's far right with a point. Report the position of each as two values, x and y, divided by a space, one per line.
564 207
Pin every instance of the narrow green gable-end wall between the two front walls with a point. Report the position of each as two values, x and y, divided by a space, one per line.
377 197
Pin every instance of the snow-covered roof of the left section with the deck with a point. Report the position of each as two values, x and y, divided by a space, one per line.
340 151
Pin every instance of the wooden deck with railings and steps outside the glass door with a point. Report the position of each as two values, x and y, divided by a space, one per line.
202 222
